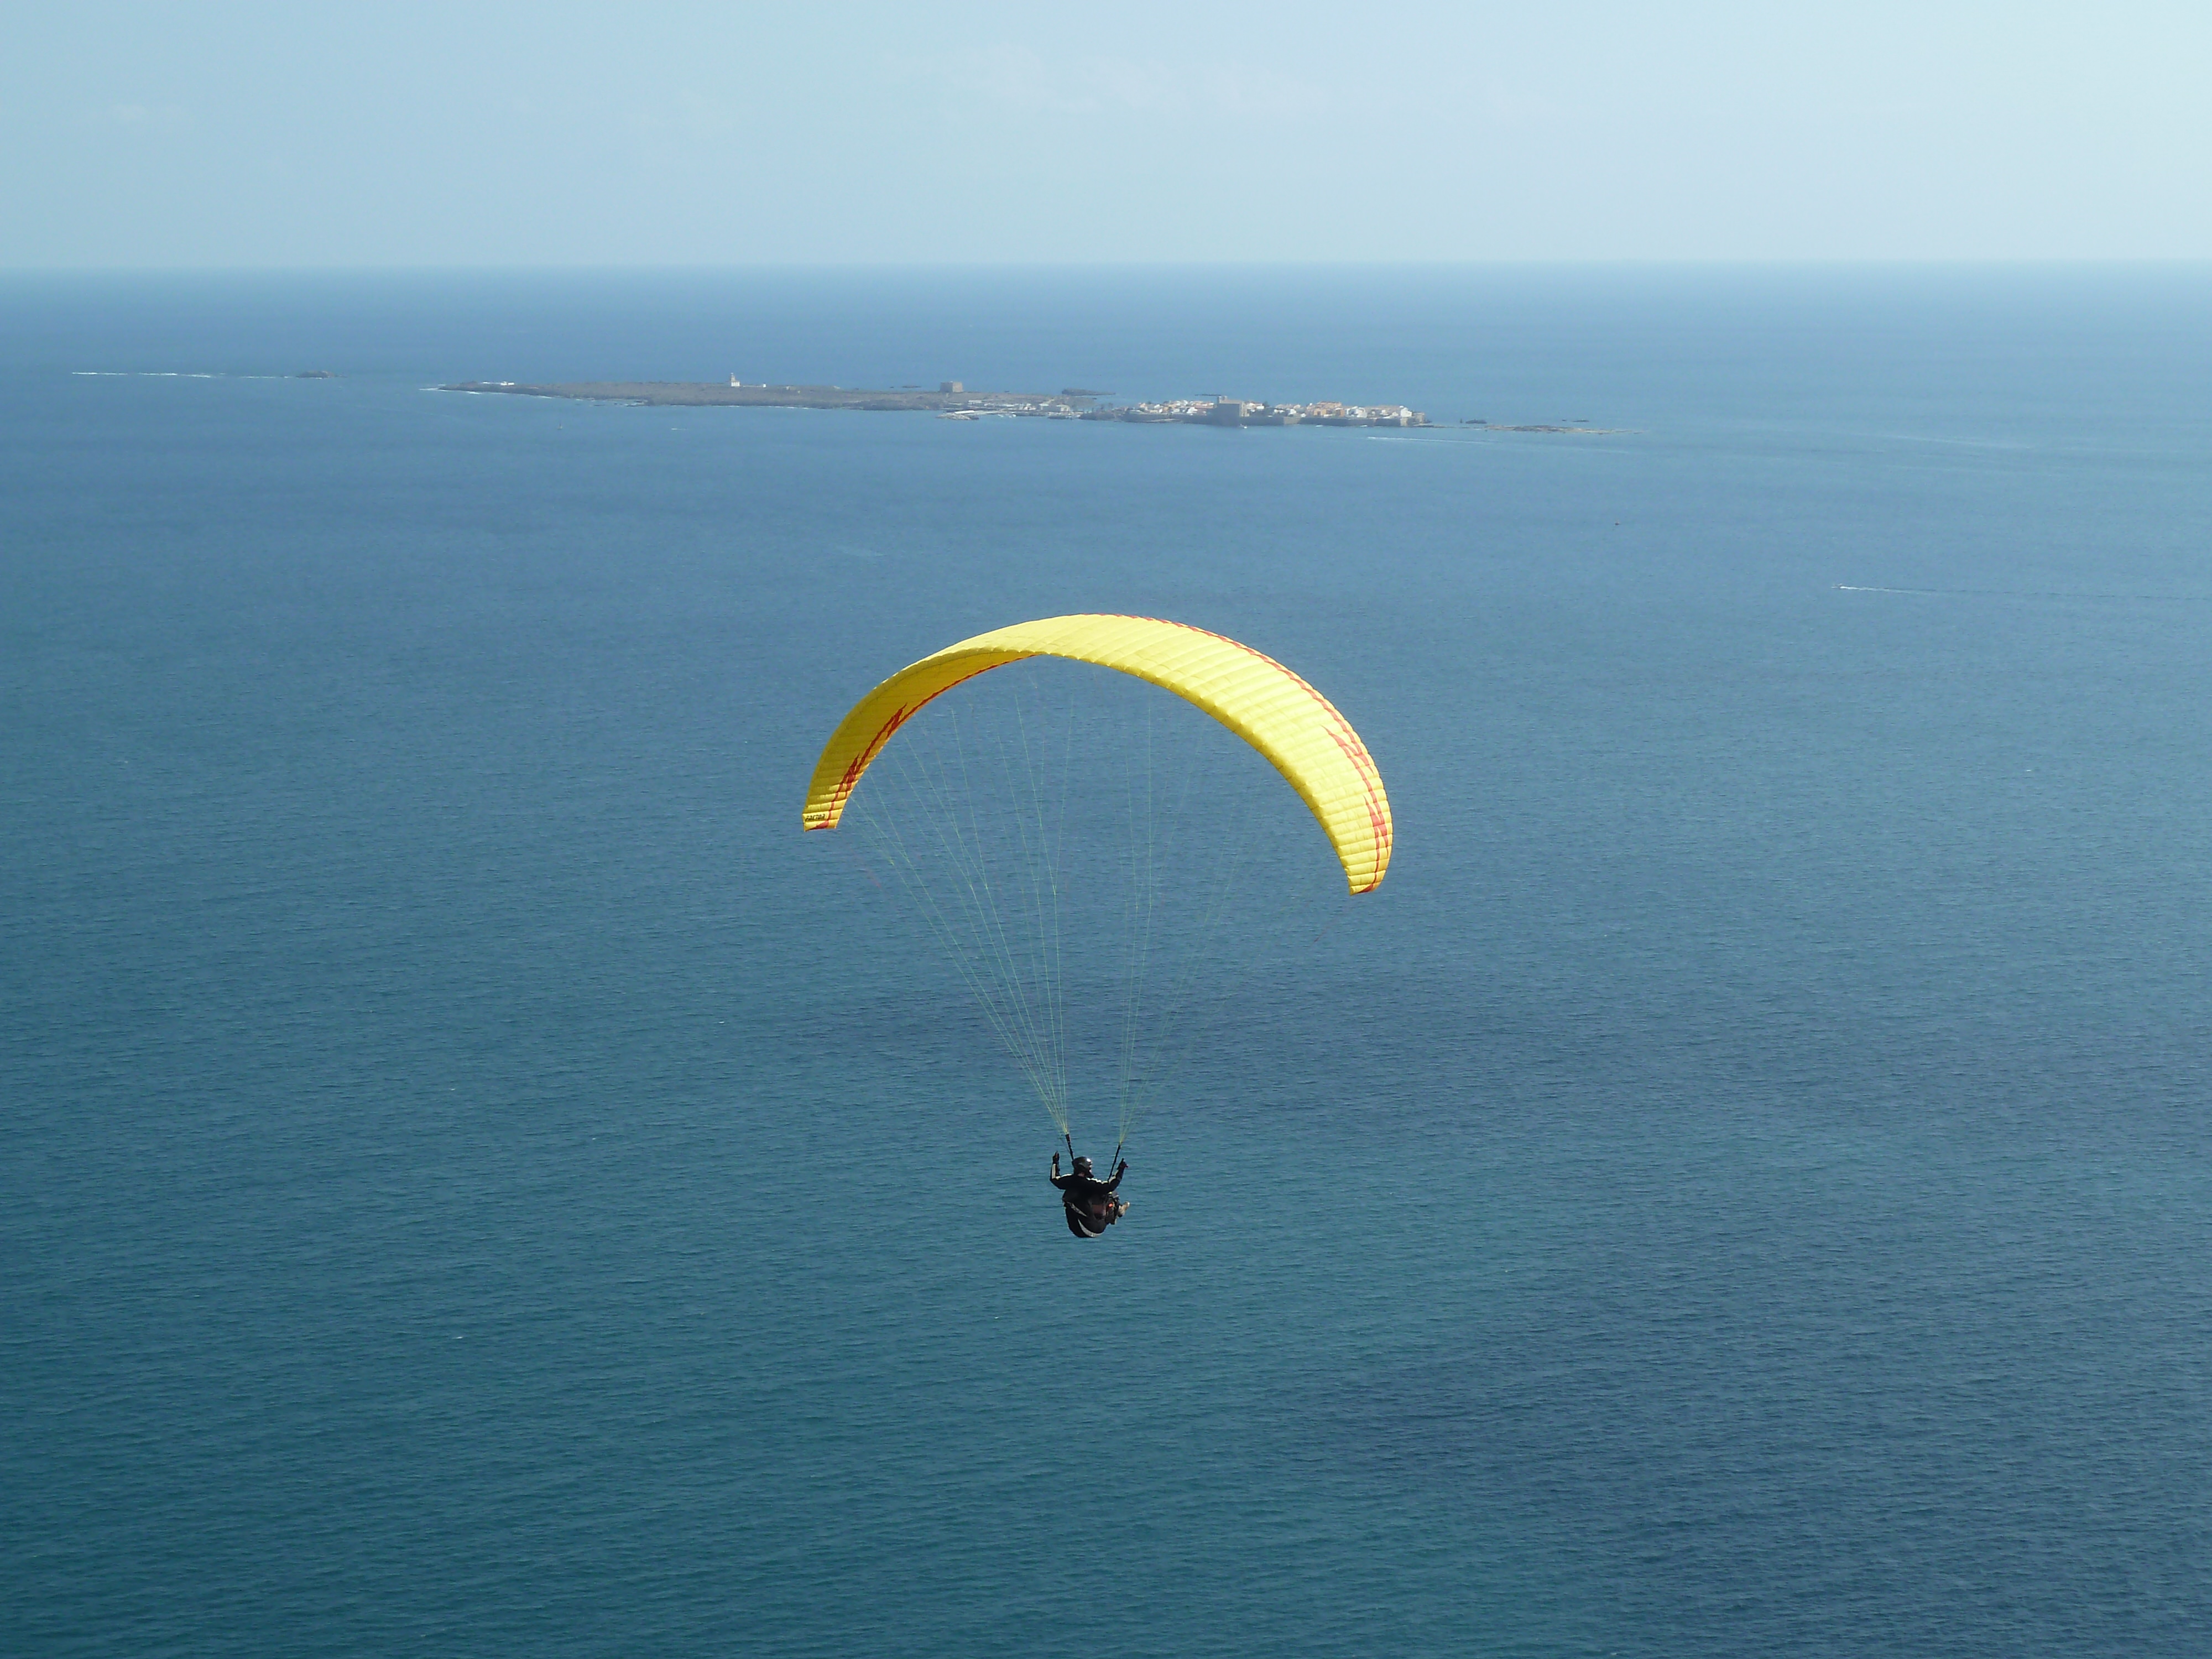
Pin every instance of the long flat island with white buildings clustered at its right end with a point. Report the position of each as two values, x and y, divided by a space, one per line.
954 401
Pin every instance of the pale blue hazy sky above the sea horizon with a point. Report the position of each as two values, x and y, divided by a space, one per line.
733 134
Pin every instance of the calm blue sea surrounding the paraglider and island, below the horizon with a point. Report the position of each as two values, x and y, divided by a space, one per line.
477 1182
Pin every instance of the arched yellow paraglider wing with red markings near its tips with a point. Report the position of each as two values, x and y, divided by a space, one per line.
1258 698
